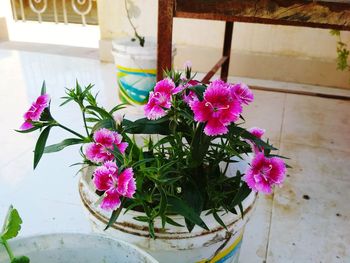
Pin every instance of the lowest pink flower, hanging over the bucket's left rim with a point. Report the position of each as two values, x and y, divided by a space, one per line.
107 179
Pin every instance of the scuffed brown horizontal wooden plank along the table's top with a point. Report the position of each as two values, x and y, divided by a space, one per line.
322 14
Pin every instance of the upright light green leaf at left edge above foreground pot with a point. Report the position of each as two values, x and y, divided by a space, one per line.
12 224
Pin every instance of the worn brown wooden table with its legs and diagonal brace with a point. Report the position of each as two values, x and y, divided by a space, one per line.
332 14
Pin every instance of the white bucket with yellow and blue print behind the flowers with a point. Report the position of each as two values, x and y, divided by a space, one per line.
136 69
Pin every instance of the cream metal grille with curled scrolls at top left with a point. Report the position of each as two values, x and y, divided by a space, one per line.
59 11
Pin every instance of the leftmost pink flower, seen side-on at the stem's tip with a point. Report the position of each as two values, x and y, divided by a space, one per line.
35 111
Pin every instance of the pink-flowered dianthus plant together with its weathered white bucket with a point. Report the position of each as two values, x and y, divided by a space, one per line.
185 190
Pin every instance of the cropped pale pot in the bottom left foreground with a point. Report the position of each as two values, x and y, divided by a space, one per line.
75 248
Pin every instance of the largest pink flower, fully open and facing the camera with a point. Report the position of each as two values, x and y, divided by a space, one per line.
218 108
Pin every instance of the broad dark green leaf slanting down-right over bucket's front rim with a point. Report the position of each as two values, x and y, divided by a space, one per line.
181 208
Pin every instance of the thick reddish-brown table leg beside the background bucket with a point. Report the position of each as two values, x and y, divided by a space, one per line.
165 33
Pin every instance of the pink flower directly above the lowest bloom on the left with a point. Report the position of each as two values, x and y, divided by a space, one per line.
105 140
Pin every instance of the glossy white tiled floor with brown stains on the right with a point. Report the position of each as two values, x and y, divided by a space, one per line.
307 220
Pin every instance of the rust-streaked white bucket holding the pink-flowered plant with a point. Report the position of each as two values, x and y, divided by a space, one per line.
174 244
